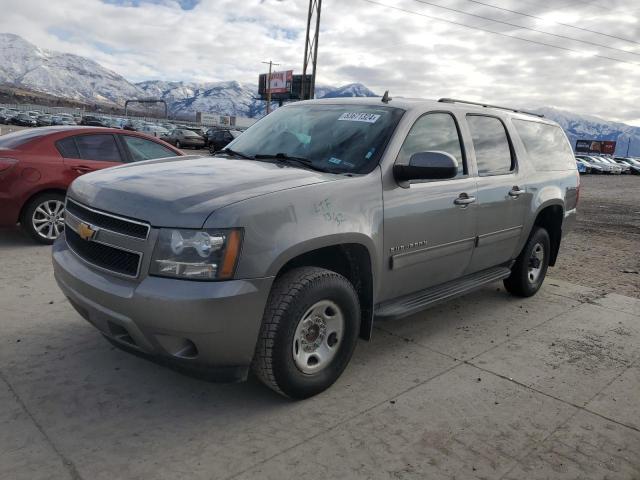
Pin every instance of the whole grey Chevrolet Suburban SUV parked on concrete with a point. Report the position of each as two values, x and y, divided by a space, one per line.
278 252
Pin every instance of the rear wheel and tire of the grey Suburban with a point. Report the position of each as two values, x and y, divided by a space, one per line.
528 273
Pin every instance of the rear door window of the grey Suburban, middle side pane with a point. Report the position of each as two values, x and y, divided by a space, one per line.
490 141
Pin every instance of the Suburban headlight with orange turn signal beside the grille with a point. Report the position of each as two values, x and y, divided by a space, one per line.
196 254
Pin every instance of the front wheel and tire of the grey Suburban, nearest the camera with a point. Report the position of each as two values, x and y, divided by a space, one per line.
292 334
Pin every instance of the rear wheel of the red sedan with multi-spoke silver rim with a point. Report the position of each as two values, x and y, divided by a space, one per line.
43 218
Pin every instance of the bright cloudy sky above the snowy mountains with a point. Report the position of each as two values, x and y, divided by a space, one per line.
413 48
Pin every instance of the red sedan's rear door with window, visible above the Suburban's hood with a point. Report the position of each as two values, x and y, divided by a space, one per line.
87 153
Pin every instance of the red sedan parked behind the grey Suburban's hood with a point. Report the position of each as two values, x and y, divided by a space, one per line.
37 166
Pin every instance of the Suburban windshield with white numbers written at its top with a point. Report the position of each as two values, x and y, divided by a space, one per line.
336 138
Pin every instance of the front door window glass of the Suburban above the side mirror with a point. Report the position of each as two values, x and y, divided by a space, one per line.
433 131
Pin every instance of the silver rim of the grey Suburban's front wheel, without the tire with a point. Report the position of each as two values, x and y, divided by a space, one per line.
318 336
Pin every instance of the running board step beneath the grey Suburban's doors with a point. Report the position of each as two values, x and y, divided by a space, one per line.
410 304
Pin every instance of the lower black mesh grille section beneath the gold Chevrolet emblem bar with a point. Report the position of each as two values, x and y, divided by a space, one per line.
104 256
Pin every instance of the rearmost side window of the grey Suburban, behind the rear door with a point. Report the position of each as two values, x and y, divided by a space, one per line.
546 145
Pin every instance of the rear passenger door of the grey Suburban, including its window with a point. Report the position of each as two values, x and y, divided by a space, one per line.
502 198
